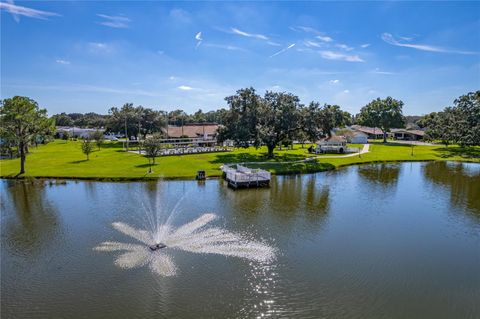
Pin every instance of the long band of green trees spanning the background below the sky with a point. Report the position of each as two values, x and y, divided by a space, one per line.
276 118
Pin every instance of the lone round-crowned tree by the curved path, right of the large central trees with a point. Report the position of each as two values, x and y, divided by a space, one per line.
386 114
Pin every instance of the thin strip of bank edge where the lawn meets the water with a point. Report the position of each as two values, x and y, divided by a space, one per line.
218 176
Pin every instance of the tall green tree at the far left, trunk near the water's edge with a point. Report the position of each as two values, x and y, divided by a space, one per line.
23 121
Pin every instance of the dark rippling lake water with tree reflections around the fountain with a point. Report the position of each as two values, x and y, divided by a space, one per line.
372 241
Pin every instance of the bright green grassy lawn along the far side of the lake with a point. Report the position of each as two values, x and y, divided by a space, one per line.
65 160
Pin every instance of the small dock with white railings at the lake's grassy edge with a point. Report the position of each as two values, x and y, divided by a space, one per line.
241 176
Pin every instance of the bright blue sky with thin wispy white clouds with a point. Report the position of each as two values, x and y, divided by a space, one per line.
81 56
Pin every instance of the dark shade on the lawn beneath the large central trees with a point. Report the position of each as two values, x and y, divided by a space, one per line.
255 157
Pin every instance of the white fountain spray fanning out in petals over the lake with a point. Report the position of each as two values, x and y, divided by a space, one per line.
193 237
